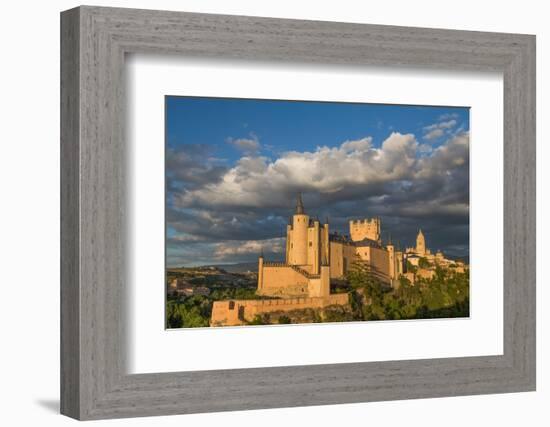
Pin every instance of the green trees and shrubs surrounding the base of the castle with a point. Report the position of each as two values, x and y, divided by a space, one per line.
445 295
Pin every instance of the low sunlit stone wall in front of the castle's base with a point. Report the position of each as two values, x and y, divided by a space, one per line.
238 312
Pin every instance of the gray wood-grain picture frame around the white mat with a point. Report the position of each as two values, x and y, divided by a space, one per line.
94 41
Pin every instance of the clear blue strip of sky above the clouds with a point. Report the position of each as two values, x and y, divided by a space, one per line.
291 125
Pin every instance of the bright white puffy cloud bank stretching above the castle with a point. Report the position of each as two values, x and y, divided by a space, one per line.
258 181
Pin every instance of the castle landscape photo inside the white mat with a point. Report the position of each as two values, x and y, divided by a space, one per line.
245 243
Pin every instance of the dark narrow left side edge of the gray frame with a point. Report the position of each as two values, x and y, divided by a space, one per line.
70 291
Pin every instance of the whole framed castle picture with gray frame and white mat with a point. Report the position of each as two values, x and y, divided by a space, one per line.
322 212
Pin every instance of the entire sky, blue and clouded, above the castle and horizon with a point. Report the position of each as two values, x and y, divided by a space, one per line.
234 165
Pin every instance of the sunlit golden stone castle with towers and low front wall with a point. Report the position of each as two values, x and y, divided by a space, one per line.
314 258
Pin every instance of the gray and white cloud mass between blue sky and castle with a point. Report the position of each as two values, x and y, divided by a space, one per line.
229 213
